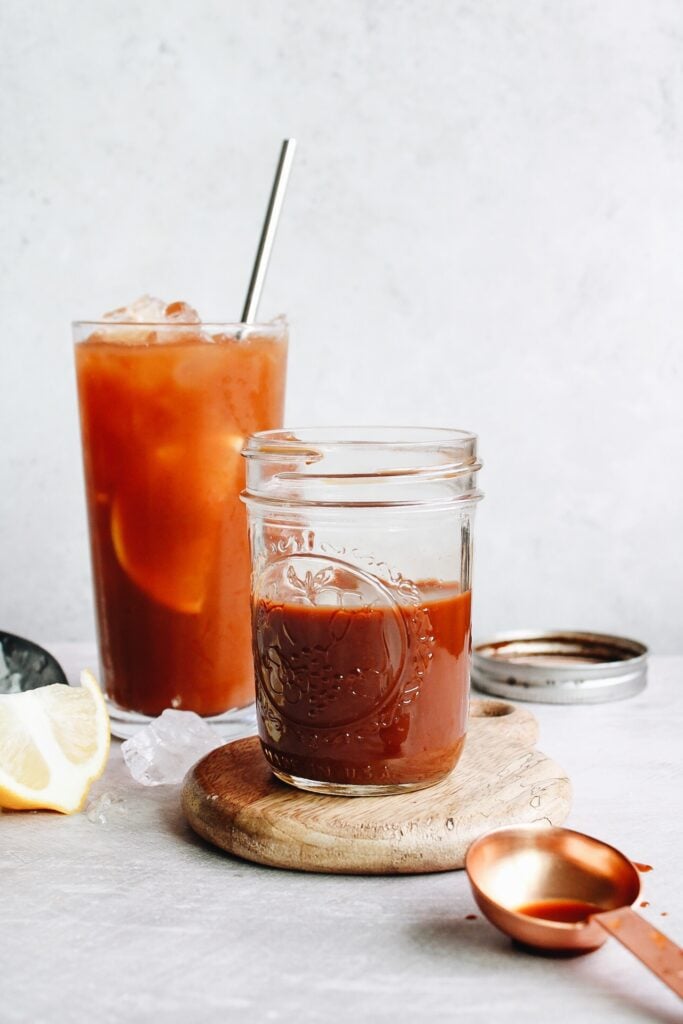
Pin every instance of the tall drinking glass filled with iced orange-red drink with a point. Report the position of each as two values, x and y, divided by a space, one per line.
165 409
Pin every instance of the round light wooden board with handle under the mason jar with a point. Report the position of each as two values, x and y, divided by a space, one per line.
232 799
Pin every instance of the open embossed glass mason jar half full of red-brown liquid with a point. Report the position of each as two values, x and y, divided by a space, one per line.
362 558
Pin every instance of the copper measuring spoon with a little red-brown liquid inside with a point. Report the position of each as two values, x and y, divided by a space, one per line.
565 892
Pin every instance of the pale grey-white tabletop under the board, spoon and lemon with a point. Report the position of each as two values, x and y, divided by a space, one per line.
138 920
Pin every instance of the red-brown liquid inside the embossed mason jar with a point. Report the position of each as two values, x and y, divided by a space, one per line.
367 695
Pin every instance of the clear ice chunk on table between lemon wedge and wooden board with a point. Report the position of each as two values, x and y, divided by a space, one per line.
163 752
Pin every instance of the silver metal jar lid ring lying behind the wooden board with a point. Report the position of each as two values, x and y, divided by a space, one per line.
561 667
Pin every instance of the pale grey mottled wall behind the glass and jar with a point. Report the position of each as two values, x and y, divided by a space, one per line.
485 230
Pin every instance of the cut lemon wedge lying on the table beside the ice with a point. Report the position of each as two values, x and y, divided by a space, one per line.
55 742
